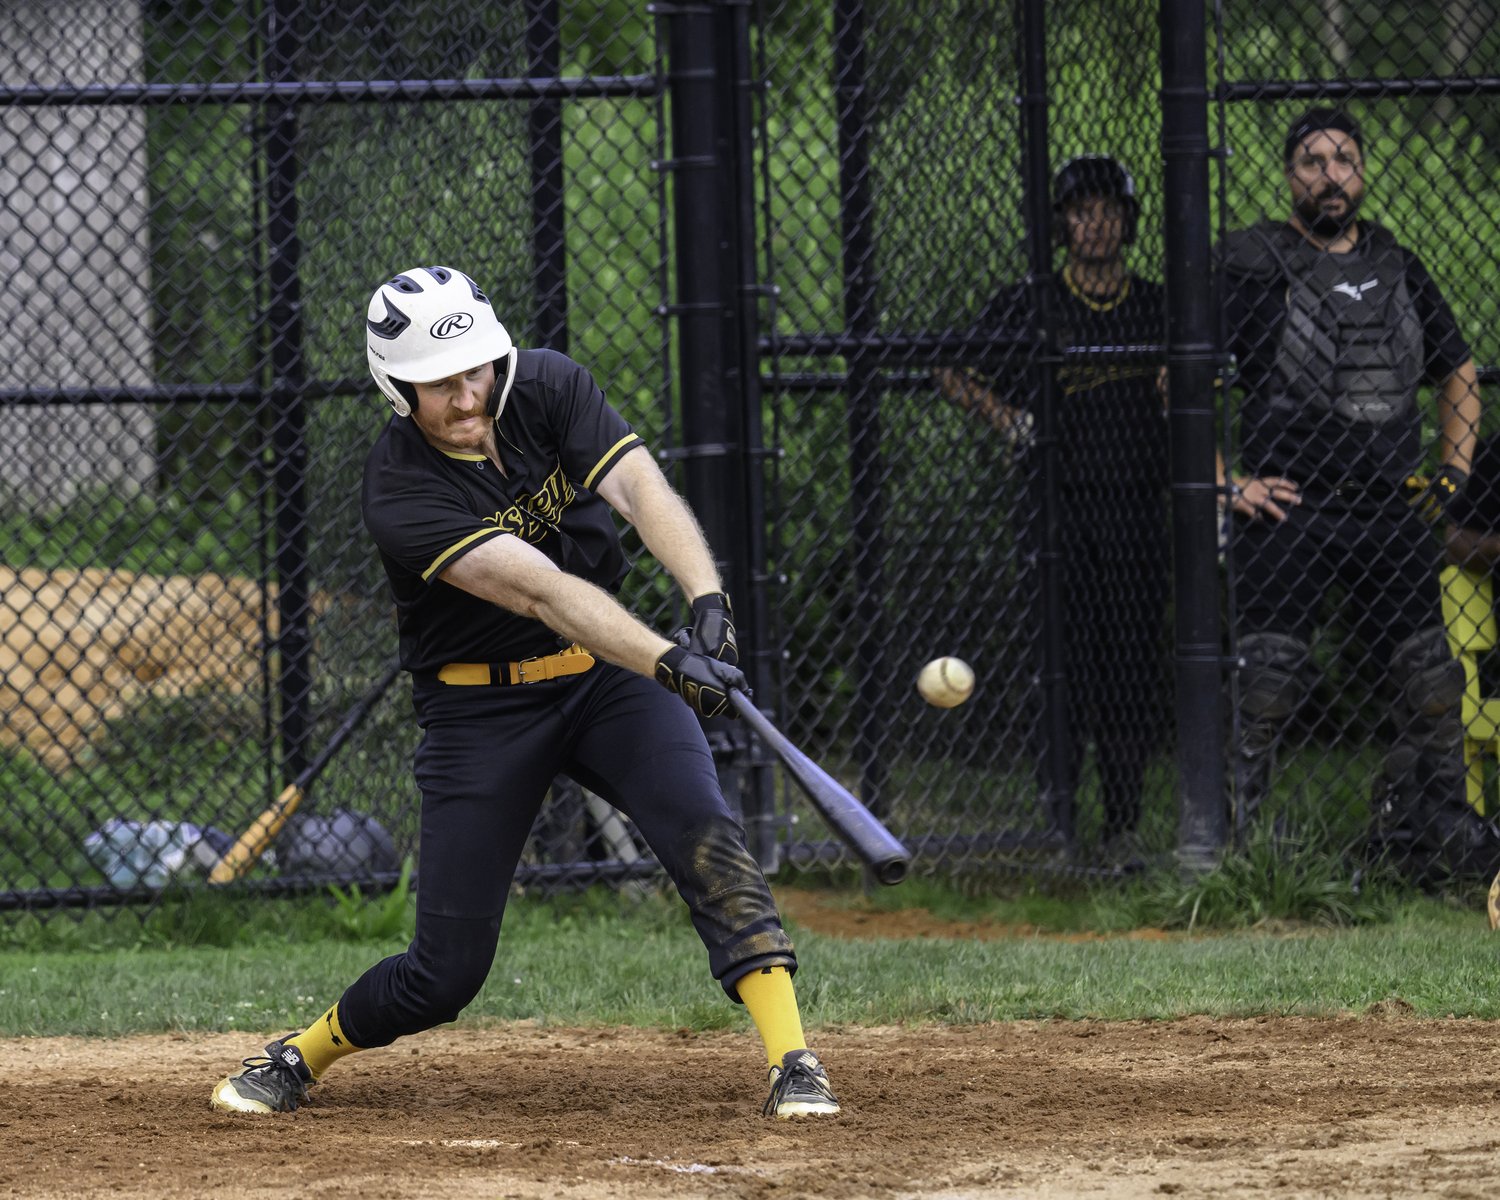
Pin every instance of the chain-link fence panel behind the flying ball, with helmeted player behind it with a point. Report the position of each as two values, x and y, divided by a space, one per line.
946 487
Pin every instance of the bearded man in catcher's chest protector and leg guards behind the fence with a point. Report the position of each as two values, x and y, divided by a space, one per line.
1336 328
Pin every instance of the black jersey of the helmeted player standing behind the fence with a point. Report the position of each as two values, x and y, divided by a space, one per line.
1112 421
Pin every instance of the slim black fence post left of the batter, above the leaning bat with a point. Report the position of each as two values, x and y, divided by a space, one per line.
289 410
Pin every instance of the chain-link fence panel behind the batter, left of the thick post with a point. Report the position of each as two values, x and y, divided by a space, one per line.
196 203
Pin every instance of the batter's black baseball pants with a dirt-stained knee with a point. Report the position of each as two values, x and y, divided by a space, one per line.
484 769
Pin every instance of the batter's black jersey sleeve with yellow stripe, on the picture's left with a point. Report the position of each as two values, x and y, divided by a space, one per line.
422 521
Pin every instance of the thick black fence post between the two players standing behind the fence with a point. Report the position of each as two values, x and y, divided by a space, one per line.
1192 364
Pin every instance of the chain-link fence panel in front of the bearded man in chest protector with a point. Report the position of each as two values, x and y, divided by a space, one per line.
1357 226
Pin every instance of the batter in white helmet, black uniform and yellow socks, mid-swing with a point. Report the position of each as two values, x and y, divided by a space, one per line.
487 496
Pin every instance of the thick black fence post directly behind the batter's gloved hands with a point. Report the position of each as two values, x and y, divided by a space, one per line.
716 430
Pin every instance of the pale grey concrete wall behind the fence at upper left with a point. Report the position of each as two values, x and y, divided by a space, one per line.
74 253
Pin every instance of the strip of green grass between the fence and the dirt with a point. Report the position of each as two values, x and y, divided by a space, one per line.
605 962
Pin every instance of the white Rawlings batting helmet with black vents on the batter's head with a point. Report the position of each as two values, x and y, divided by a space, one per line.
431 323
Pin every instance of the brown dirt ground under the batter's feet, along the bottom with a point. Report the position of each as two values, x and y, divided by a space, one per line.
1376 1106
